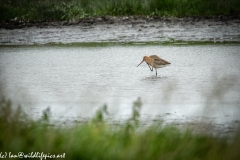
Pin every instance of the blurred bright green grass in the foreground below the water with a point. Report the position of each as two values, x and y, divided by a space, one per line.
97 139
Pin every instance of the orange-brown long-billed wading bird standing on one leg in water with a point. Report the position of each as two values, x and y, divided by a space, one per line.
155 62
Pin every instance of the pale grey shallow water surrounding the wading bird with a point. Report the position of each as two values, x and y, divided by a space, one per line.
202 80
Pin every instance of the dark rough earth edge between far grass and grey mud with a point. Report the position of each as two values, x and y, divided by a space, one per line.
17 24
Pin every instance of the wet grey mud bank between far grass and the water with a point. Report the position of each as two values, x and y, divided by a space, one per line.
122 29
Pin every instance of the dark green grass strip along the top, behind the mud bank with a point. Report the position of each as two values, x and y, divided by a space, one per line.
77 9
